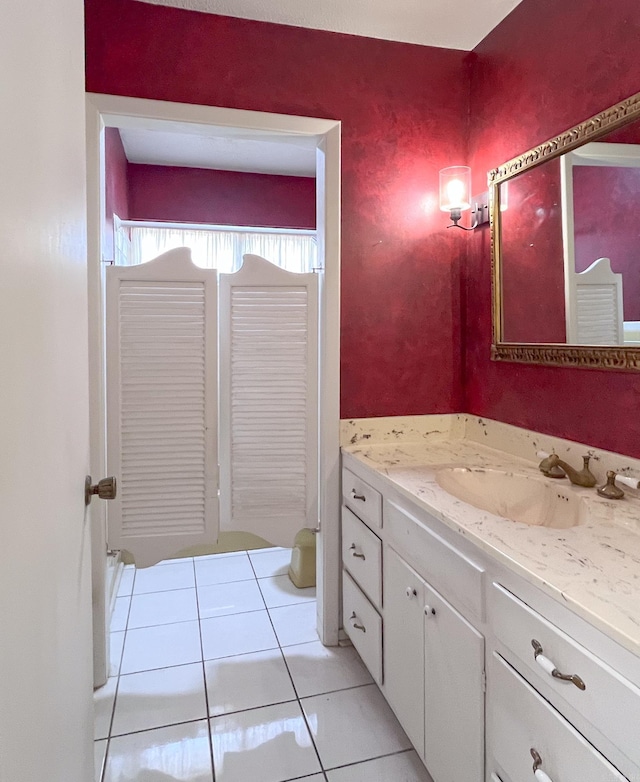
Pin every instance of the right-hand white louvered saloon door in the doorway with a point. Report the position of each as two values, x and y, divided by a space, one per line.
268 401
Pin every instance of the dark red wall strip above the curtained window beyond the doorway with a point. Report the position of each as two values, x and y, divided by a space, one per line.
198 195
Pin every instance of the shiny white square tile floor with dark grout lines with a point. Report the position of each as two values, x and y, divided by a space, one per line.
218 674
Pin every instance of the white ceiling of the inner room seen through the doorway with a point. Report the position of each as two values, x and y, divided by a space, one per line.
224 151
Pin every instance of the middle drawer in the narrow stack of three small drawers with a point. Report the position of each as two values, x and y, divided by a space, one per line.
362 555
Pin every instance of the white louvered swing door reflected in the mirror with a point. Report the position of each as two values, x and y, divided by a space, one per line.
598 296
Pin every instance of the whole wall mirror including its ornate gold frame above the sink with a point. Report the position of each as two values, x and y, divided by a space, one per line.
565 247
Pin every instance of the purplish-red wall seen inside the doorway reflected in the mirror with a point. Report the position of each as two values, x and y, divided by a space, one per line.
606 208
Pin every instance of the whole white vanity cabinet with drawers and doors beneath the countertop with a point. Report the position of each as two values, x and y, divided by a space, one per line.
446 621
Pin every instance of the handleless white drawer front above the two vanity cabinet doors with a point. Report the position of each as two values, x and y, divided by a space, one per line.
459 579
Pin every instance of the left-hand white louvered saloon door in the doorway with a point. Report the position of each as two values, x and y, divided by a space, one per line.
162 406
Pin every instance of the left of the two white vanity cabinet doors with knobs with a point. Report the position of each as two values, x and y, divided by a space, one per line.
404 646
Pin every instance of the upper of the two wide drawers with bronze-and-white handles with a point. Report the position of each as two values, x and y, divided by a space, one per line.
609 702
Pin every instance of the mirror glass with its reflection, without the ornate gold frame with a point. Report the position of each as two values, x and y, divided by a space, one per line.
570 247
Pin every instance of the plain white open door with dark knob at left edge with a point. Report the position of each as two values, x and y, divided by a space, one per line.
46 714
